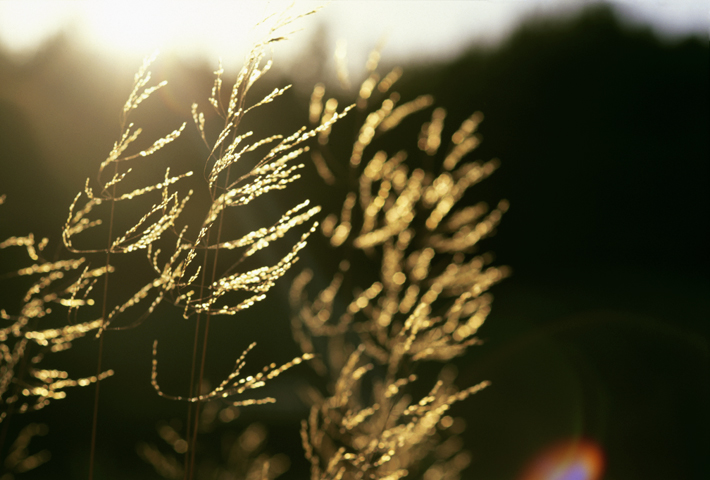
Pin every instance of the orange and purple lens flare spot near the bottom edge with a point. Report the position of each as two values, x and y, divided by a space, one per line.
571 460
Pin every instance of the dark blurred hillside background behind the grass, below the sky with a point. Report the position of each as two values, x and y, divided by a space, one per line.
601 332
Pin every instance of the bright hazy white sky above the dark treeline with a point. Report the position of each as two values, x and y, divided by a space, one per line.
212 29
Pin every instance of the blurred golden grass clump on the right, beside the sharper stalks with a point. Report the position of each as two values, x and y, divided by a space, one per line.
426 304
